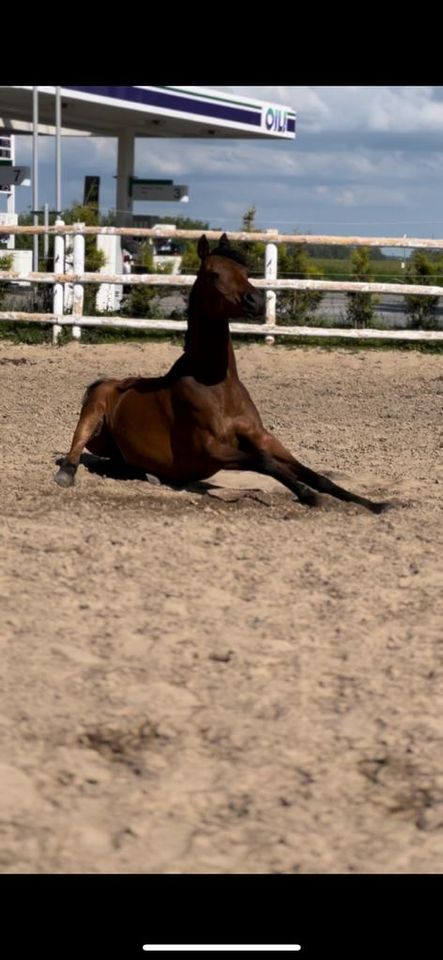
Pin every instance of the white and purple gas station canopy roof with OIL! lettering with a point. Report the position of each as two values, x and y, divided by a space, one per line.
162 111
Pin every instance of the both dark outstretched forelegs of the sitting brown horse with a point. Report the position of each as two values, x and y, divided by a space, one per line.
272 458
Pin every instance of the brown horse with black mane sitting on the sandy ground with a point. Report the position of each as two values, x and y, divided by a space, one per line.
198 418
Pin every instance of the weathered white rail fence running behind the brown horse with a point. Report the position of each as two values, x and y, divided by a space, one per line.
270 282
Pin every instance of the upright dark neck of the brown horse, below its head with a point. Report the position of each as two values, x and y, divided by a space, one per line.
209 349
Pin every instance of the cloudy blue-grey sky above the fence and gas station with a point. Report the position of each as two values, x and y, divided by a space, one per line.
367 161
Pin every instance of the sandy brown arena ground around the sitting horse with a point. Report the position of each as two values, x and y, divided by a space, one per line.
220 680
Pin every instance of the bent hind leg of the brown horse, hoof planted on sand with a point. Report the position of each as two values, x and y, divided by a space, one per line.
90 432
